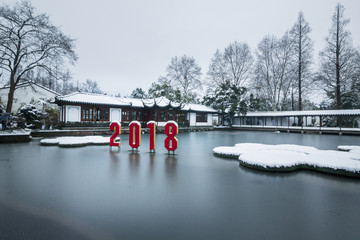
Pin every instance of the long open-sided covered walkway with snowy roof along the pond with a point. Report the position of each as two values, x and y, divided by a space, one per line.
317 121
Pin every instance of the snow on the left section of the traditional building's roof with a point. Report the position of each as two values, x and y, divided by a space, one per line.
91 98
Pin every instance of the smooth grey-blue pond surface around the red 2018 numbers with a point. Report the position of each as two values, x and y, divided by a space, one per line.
93 193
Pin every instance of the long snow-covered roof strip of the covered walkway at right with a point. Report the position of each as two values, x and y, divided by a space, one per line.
353 112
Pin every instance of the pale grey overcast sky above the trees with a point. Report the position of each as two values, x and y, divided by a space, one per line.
128 44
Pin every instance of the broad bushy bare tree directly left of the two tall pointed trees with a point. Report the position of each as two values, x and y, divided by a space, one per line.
274 69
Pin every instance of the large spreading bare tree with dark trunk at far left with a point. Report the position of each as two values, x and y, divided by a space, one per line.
29 41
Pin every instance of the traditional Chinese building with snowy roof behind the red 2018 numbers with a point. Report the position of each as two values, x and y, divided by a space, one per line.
86 107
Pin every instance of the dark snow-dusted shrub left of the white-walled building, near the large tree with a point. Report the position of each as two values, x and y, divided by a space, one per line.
31 117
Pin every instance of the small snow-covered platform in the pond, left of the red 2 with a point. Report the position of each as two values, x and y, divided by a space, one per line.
76 141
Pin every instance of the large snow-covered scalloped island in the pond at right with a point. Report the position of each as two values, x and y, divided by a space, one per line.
287 157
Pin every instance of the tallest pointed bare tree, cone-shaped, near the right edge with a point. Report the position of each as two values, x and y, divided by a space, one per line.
337 59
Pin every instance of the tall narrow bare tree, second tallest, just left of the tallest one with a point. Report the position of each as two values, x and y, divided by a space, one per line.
303 50
